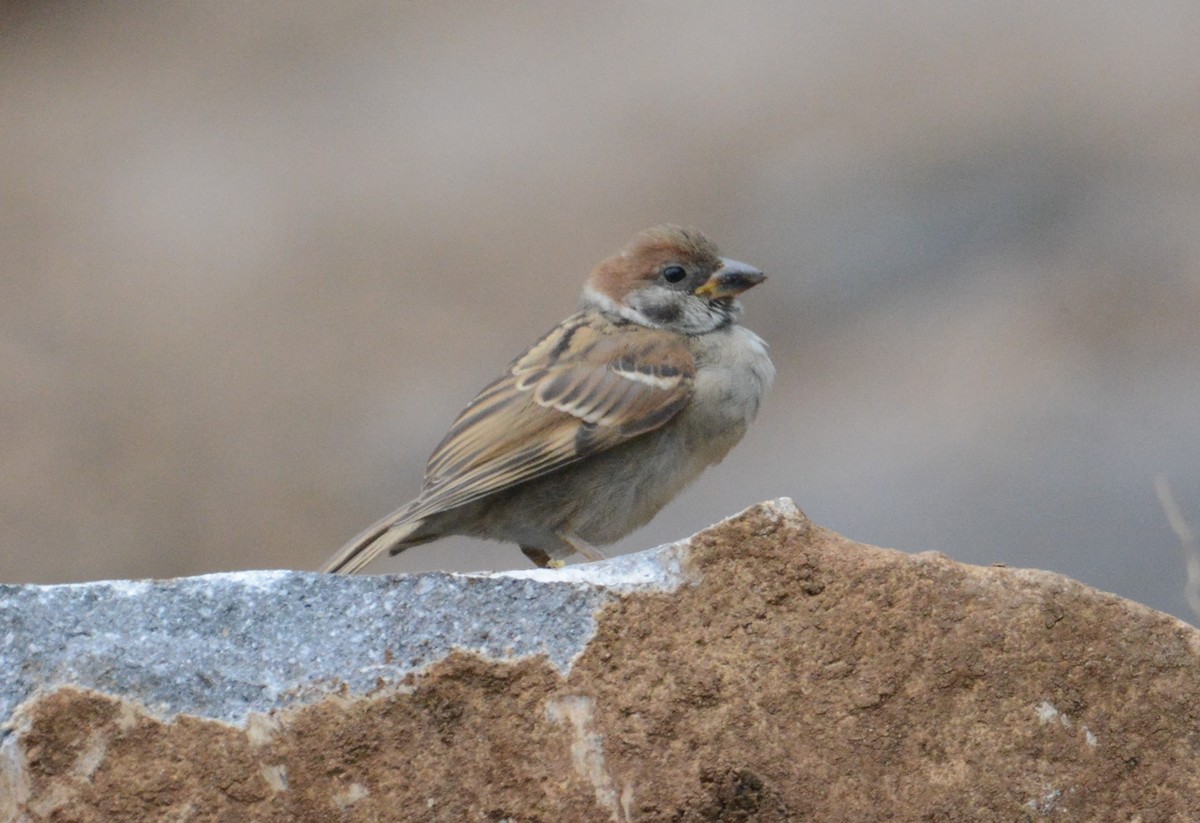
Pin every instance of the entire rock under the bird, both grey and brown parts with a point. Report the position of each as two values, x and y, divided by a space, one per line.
765 670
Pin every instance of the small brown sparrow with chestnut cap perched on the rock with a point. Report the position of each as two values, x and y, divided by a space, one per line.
604 420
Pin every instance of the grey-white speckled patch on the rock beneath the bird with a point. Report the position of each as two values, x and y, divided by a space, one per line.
224 646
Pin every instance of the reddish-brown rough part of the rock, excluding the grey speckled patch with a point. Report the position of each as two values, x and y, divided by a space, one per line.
800 677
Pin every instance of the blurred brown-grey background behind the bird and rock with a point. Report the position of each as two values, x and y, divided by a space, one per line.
256 257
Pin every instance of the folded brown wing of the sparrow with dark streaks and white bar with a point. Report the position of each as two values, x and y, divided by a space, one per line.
586 387
